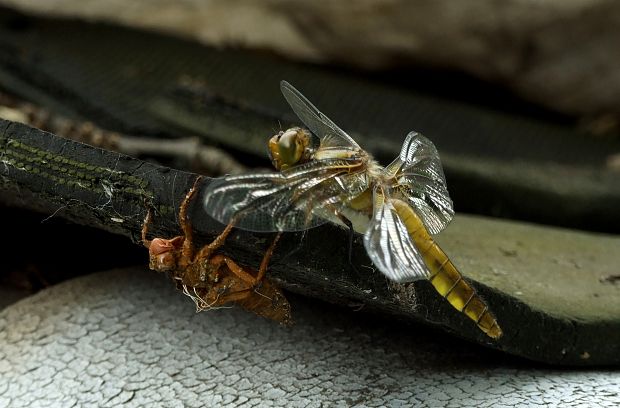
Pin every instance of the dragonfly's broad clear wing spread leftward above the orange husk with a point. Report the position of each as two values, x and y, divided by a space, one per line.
292 200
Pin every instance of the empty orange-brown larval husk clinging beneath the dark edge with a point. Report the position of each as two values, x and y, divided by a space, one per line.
211 279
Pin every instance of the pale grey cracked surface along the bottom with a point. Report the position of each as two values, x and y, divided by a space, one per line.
125 338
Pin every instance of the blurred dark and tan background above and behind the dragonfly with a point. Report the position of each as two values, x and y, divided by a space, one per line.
521 97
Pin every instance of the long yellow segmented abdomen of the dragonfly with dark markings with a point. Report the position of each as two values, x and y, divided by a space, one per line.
446 279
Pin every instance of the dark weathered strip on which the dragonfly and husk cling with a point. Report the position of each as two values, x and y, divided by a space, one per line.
544 284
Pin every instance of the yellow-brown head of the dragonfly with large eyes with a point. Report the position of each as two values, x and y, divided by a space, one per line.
289 148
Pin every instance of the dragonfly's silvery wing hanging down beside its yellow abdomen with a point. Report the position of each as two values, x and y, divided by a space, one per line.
390 248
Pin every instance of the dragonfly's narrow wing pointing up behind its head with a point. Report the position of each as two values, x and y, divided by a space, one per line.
319 124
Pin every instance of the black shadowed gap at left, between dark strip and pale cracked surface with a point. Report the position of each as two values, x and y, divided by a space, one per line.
42 250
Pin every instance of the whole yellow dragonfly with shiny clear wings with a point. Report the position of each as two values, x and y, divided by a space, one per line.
324 175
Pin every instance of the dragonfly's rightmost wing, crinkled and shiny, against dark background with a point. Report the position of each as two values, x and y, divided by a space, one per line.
419 178
